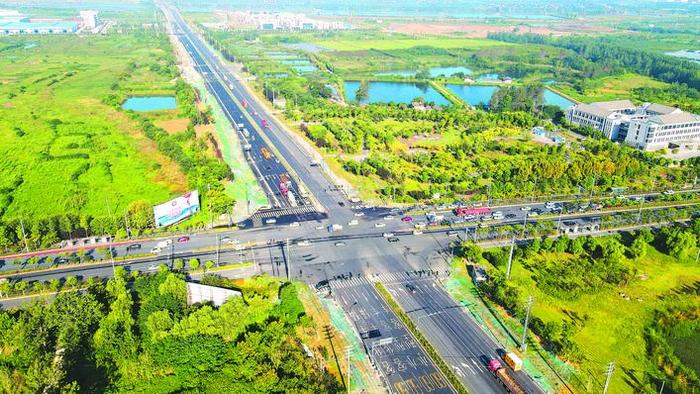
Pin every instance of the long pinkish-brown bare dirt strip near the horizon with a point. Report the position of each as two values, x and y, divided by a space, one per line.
482 30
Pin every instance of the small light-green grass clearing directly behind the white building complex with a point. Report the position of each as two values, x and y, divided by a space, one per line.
611 88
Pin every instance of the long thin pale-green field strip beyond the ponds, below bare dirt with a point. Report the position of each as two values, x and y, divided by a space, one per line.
394 44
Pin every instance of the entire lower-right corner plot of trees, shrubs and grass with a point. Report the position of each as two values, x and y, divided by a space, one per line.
607 299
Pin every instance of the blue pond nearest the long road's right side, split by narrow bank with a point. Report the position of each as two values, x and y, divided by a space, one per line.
398 92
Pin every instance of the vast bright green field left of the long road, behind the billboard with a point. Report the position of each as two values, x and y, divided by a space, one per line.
63 150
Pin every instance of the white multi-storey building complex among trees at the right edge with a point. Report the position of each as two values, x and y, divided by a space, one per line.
650 126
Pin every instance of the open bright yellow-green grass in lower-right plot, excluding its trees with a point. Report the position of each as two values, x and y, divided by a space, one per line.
612 326
